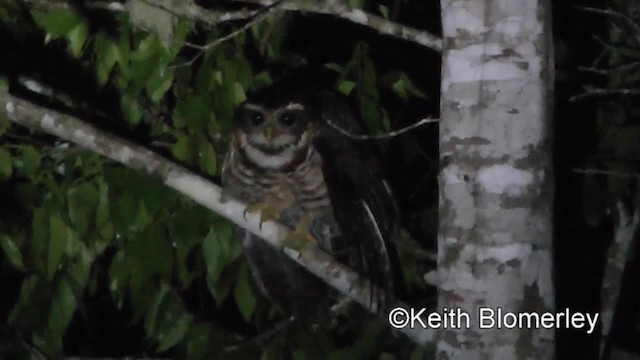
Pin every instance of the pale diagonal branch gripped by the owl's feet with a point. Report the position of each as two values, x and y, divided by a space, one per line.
200 190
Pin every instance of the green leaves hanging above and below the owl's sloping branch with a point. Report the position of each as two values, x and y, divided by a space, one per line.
80 226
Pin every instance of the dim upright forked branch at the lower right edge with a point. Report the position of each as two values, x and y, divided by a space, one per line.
617 256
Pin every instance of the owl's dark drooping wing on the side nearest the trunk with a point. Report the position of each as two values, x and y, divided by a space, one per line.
363 204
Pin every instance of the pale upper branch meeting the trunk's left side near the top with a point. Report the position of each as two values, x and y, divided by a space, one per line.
341 9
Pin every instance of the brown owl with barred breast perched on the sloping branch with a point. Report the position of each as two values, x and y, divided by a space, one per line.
292 157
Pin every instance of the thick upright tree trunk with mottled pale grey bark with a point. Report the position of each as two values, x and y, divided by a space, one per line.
496 194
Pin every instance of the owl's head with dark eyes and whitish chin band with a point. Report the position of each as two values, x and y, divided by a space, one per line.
272 136
